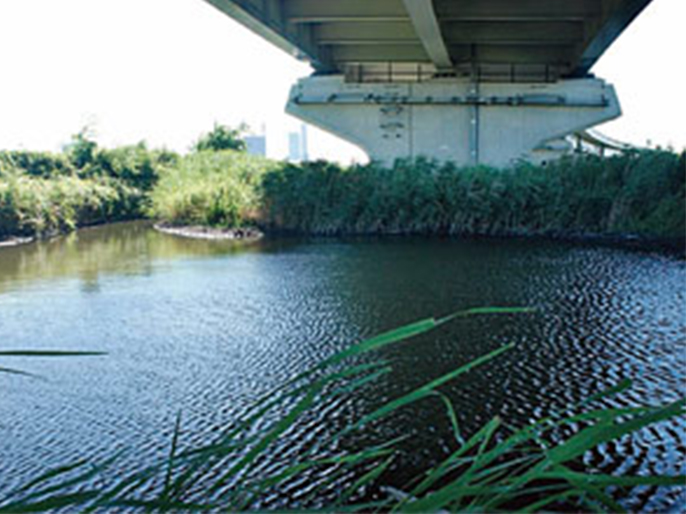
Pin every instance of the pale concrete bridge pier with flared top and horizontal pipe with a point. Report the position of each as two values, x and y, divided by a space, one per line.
455 119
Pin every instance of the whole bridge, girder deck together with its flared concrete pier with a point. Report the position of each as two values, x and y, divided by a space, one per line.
472 81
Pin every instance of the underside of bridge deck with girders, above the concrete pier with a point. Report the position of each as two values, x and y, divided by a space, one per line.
382 40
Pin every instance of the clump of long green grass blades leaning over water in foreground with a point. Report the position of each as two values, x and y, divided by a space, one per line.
529 468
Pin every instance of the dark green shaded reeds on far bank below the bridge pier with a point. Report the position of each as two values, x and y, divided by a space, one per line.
641 193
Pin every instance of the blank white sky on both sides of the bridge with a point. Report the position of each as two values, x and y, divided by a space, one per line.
165 70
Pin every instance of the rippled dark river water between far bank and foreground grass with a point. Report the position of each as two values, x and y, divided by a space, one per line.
207 327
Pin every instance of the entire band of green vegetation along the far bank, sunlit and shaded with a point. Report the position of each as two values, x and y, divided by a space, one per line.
639 193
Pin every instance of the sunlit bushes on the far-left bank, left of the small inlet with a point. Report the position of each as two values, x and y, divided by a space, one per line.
43 193
